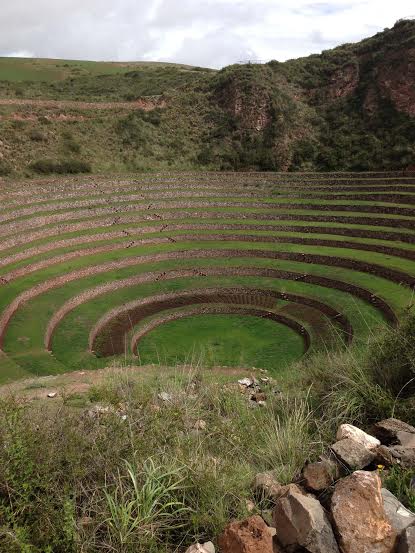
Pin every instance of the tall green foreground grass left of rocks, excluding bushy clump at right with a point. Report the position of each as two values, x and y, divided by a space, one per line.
155 481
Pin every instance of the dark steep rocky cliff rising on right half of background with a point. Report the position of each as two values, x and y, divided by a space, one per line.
351 108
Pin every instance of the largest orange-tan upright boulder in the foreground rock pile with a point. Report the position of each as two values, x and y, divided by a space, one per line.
359 516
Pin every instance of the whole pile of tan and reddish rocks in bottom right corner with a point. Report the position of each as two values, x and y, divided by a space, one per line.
338 504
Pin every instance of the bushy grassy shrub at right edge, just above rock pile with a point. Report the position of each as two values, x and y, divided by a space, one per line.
367 382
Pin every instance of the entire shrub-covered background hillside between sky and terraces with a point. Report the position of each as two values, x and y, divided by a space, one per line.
351 108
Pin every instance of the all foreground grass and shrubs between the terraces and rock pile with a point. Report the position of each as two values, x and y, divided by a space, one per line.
154 475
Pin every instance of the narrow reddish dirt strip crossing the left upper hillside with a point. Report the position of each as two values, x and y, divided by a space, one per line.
146 104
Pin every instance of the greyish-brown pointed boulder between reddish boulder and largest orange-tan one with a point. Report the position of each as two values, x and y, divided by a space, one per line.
302 523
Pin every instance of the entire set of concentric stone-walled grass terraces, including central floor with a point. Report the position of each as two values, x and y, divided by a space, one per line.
243 268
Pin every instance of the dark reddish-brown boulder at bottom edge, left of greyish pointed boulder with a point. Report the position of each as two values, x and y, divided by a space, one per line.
249 536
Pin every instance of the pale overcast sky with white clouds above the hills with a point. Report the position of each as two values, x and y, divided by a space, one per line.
211 33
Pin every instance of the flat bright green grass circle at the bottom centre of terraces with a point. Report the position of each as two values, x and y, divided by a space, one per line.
226 340
